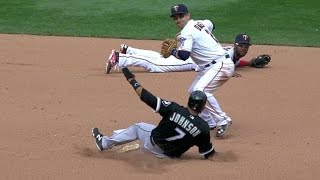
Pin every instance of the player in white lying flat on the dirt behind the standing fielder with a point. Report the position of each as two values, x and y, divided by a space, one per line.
154 62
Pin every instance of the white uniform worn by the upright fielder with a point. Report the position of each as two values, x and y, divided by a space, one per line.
215 65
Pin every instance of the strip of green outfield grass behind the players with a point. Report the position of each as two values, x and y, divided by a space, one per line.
281 22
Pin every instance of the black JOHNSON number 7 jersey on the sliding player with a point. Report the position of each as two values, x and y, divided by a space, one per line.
178 130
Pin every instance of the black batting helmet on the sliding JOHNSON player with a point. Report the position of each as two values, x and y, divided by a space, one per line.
197 101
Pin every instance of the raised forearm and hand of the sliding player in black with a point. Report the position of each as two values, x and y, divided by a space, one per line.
144 95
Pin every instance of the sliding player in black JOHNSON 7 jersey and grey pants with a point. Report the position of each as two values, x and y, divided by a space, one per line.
179 129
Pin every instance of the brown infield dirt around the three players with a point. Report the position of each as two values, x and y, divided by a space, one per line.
53 90
